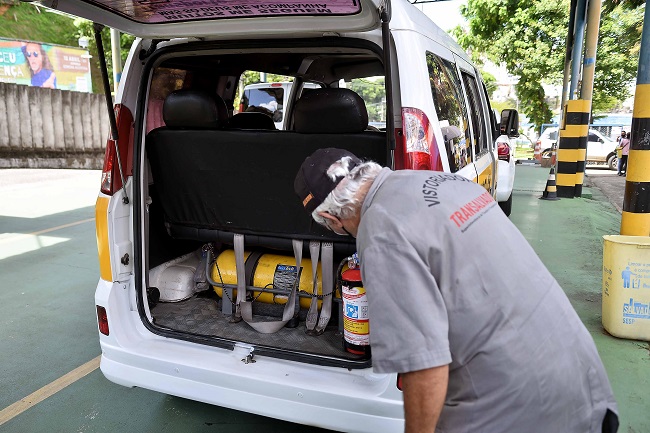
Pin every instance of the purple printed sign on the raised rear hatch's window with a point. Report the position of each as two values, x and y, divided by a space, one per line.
156 11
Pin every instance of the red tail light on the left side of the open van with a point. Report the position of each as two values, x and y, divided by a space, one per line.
111 180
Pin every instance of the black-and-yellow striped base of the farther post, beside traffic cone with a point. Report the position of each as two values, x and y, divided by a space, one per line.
572 152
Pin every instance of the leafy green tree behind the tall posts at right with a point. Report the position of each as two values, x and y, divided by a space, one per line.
529 38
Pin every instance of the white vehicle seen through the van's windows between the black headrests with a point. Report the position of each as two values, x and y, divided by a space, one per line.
270 99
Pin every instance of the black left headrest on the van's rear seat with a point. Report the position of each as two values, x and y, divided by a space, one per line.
194 109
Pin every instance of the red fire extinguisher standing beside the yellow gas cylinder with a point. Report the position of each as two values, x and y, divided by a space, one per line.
356 327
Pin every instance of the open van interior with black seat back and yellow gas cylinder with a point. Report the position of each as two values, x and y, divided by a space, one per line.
215 174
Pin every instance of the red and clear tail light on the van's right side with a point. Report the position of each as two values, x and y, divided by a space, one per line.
416 144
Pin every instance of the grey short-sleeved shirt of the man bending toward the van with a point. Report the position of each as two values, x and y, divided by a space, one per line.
450 280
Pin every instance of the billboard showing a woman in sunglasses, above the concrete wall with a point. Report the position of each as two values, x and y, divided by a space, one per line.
44 65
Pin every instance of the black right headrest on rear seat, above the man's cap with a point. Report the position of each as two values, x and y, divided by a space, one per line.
330 110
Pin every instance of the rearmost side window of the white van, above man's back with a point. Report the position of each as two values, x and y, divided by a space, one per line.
452 114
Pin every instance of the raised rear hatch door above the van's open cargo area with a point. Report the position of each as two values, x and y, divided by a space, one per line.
158 19
